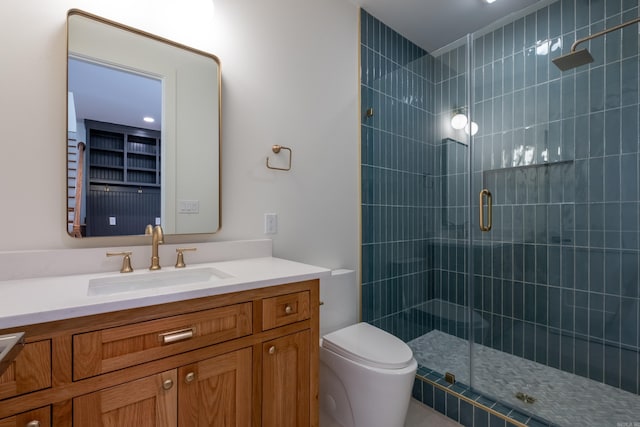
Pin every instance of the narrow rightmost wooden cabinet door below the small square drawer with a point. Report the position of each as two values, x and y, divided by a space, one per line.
286 381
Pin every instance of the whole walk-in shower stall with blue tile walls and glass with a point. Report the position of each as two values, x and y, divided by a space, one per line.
504 248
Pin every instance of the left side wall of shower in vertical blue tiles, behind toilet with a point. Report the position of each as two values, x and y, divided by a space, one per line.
397 162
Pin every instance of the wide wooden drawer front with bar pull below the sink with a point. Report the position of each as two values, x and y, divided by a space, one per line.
110 349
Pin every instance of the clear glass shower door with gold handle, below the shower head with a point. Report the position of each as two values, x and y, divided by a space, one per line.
555 278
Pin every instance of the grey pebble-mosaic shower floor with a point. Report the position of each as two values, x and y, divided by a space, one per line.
561 398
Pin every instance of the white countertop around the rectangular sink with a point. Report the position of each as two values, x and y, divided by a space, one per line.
37 300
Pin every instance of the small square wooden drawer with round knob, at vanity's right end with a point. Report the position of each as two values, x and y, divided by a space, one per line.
285 309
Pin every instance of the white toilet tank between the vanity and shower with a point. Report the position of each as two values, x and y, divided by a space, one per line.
339 294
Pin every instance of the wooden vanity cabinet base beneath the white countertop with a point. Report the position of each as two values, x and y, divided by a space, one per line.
245 359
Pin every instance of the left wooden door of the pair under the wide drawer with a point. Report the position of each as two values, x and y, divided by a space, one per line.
148 402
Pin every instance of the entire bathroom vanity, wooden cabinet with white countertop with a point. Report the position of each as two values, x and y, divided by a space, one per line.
242 352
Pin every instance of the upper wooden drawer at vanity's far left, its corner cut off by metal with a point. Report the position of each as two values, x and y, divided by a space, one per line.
30 371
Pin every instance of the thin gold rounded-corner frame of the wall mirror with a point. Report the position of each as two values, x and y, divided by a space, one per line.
135 31
